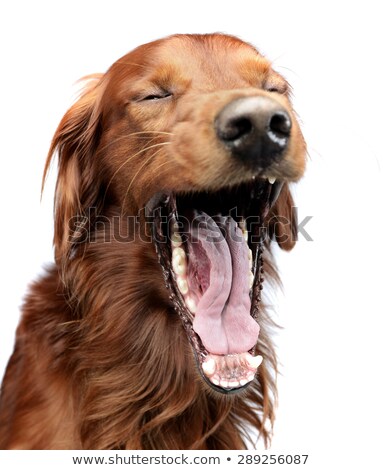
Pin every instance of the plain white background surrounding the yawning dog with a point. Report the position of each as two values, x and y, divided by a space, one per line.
331 346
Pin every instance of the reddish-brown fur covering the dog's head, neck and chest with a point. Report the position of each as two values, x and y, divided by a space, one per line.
101 358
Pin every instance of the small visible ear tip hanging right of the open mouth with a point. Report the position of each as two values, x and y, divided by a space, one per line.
283 226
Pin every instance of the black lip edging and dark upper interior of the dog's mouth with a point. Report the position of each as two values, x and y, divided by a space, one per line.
256 199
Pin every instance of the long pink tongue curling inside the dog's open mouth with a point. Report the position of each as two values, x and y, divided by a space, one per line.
222 320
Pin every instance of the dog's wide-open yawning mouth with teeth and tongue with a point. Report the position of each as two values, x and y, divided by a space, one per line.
210 248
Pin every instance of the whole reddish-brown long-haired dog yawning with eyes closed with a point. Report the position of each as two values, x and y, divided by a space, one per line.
149 331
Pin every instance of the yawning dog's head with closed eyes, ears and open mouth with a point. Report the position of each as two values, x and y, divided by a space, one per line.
195 134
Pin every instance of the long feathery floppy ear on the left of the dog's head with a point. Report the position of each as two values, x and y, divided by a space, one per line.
77 187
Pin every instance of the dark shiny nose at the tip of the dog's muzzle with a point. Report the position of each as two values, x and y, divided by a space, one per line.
256 129
